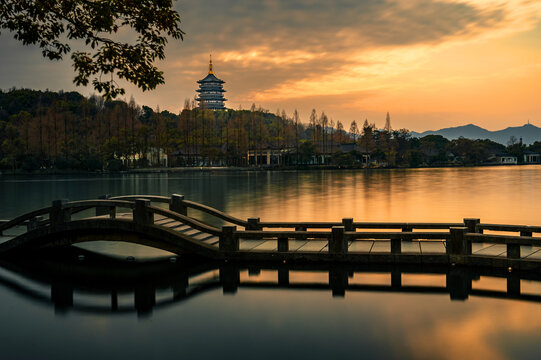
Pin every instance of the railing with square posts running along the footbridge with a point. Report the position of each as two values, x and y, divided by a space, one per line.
458 238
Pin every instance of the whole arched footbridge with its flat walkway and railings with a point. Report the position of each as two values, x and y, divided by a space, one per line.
166 223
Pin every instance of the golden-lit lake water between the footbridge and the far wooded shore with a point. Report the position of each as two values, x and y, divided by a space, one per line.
493 194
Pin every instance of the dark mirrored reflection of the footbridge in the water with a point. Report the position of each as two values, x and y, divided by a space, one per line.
81 281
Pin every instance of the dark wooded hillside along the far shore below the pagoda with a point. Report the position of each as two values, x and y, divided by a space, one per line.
50 131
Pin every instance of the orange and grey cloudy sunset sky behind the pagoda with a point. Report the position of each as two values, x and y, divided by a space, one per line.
430 64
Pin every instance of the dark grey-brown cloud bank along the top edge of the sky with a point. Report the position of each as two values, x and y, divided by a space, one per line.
332 25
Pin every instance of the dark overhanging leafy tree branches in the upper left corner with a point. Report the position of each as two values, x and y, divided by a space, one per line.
53 25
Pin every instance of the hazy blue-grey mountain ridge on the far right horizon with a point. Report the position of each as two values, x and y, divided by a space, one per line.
528 132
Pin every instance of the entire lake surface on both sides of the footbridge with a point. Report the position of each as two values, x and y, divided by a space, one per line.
264 318
